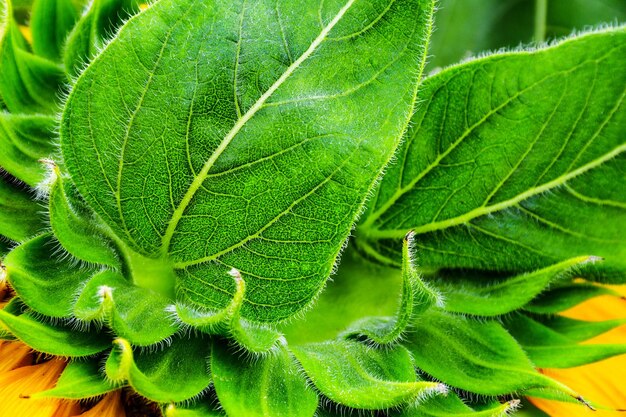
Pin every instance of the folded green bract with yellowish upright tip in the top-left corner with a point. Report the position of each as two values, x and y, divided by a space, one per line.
29 83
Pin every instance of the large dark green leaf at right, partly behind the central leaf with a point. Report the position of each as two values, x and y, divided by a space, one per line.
513 162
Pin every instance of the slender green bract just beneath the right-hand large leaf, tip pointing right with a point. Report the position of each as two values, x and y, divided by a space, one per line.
488 297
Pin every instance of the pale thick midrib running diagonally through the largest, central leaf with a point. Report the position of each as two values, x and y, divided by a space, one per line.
202 175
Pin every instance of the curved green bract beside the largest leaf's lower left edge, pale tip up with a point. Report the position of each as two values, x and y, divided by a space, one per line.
73 227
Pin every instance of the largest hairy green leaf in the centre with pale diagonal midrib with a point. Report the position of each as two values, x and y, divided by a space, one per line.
257 131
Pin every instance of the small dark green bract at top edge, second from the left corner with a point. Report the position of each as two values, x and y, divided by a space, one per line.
50 23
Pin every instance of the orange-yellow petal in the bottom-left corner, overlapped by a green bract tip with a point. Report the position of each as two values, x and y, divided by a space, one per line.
16 386
